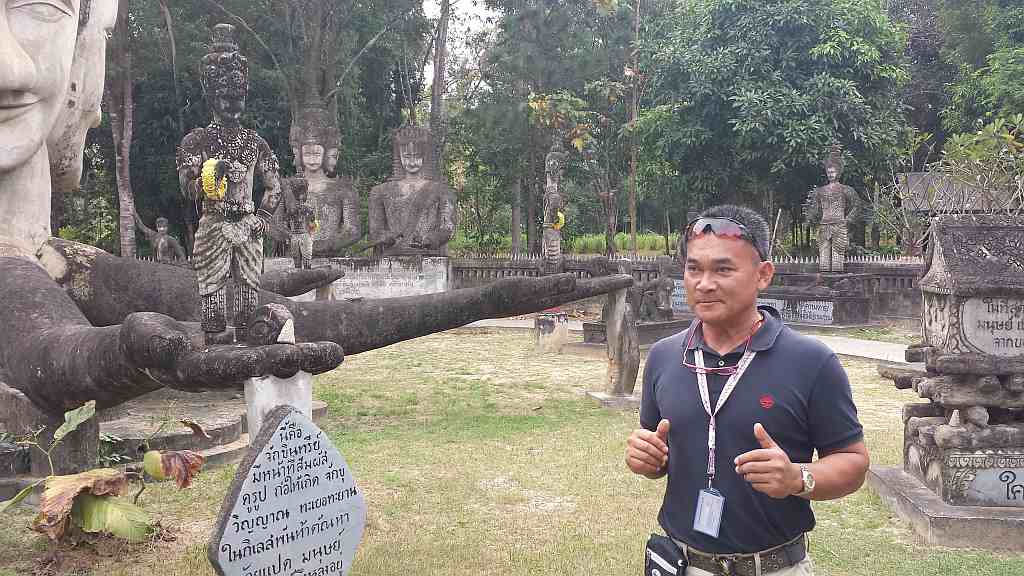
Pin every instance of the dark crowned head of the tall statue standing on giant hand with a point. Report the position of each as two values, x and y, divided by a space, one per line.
226 76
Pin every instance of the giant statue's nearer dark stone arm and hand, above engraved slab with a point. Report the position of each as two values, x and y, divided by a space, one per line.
59 359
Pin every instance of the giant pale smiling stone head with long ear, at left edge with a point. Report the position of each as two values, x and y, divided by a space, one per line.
44 75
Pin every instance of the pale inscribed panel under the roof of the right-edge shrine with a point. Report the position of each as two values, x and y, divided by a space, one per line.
995 326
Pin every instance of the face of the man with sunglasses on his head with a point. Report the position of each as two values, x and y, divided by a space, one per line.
722 277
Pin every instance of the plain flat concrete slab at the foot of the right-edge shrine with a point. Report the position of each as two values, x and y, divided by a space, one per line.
944 525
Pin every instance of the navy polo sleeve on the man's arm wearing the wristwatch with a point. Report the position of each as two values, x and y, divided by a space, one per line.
834 421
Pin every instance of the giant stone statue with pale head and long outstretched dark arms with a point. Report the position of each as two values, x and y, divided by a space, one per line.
81 324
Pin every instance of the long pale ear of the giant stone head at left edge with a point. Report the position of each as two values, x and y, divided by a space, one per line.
67 140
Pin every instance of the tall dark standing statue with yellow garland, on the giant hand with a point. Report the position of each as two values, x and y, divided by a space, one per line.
230 238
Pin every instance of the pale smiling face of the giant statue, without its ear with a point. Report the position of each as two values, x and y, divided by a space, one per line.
37 47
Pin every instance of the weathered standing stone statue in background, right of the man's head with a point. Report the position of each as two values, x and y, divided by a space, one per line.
834 205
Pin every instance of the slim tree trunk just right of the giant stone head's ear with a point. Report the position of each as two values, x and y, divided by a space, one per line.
121 125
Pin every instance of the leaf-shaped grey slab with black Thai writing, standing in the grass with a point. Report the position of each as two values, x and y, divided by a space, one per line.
293 508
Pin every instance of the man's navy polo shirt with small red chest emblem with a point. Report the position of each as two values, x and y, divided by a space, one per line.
796 388
